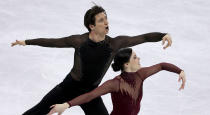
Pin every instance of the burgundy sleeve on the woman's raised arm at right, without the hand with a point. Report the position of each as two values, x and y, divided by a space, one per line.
148 71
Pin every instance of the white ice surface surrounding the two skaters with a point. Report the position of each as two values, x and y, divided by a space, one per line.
28 73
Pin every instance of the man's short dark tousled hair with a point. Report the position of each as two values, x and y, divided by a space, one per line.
89 17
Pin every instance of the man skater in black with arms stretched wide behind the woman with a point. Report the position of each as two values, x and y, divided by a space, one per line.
94 52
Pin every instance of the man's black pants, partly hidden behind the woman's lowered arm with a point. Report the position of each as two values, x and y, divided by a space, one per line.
65 91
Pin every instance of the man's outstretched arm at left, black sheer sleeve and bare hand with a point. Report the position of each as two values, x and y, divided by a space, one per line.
70 41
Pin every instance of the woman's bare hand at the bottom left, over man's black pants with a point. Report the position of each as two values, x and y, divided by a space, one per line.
58 108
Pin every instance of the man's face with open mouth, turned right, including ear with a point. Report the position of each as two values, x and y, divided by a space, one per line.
101 24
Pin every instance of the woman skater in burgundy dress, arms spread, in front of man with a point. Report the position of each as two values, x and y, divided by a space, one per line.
126 89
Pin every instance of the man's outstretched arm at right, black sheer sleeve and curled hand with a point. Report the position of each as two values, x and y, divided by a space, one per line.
128 41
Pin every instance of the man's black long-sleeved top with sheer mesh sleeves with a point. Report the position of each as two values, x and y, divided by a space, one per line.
92 59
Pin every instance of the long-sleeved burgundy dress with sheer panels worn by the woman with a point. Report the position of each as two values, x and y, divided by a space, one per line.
126 101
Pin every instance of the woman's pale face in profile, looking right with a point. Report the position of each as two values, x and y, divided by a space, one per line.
134 63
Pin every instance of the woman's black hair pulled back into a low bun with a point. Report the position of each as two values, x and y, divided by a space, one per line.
122 57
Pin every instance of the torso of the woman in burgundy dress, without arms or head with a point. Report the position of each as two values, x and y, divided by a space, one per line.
127 100
